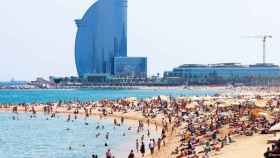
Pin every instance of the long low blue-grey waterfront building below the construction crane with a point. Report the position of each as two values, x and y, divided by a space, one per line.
222 73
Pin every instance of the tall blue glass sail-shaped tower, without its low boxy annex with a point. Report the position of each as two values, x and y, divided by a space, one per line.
101 36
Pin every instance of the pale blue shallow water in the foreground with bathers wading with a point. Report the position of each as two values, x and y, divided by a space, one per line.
42 138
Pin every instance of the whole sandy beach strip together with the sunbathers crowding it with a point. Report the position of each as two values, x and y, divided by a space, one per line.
222 126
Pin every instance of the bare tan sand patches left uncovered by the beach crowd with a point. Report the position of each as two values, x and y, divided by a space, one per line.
249 147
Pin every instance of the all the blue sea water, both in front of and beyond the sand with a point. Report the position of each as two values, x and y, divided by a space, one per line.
41 138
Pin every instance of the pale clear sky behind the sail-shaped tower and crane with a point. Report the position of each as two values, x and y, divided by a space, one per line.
37 37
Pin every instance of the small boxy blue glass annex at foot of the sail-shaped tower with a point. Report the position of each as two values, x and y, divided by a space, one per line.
130 67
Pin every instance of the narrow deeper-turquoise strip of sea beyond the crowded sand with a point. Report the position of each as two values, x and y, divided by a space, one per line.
42 96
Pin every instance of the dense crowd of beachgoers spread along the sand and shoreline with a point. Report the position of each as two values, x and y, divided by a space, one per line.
202 125
